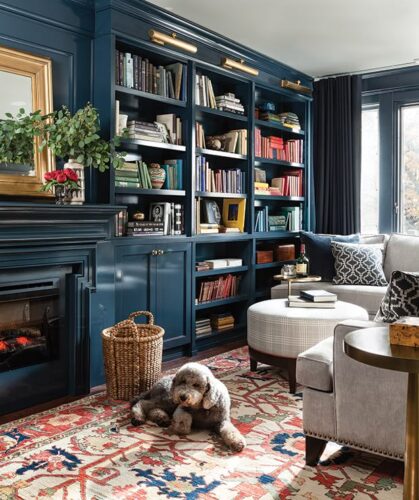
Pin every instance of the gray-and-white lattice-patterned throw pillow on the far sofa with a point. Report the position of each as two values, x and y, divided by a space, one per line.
358 264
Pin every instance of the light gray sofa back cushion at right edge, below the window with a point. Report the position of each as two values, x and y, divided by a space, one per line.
401 254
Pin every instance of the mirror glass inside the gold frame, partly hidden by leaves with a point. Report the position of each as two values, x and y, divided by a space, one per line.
16 93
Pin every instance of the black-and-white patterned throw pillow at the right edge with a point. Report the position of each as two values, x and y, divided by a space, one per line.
401 298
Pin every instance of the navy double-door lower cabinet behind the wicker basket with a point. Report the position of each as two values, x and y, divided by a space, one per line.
156 277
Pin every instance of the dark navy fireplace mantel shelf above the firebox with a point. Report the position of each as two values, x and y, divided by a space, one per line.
29 223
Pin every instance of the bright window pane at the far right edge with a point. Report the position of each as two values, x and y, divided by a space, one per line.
409 169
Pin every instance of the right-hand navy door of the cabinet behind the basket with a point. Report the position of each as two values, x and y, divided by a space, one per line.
173 293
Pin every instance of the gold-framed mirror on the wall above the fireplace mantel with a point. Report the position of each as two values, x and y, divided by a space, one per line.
27 79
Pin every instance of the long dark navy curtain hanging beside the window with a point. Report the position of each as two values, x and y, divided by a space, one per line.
337 154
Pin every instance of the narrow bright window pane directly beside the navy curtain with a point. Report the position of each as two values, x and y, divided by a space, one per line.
370 164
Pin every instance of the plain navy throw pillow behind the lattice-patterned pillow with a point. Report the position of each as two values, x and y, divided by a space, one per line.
319 251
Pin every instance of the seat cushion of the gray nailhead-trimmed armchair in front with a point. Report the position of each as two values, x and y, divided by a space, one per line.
315 366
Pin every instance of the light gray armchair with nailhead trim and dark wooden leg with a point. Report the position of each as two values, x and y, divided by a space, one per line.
349 402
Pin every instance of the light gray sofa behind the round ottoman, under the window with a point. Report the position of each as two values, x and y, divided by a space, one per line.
401 253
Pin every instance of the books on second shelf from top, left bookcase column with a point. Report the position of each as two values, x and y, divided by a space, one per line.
166 128
